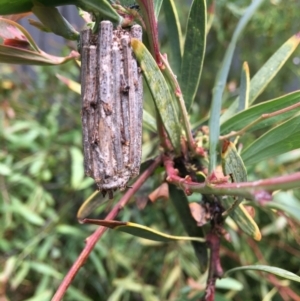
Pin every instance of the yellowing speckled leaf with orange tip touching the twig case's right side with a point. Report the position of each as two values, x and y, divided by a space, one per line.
160 92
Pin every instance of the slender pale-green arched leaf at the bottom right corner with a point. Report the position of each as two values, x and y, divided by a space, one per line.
269 269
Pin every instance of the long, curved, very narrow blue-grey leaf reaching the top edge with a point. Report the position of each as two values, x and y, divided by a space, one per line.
214 120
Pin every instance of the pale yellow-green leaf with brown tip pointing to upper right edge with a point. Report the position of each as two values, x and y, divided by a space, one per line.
266 73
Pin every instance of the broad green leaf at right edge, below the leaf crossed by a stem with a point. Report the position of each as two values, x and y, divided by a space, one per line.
283 138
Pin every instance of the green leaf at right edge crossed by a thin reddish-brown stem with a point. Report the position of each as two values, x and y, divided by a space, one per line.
242 119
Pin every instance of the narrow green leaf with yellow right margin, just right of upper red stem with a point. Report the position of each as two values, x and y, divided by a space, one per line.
174 35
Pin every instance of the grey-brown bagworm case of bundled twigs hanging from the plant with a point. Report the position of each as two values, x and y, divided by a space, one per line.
112 92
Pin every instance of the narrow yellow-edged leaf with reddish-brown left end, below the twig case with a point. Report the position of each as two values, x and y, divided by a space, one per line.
140 230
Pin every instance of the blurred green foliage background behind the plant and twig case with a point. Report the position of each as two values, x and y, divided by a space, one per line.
42 184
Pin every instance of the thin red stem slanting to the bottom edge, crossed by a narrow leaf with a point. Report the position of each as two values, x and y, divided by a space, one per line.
92 240
